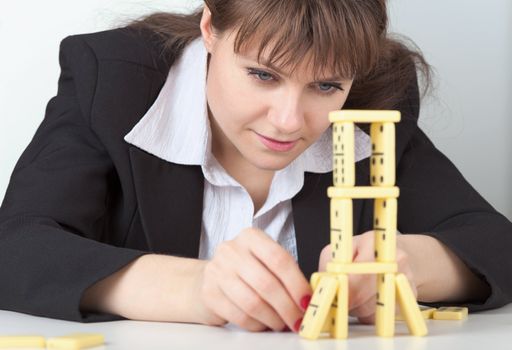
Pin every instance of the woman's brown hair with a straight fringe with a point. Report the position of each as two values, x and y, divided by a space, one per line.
348 37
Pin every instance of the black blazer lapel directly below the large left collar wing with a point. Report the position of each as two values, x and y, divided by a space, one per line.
170 199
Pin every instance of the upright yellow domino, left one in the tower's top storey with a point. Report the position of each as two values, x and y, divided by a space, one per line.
344 169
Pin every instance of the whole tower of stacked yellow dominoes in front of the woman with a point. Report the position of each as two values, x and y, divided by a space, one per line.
328 309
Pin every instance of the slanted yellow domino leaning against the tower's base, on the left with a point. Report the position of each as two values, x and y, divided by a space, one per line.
318 309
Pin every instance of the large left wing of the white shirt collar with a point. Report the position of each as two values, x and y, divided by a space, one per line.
176 127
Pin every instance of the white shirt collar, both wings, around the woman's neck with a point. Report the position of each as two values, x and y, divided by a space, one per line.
176 126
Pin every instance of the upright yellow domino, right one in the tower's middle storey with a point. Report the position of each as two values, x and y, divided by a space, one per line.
385 213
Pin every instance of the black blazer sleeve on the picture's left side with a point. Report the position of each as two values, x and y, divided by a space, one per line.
53 211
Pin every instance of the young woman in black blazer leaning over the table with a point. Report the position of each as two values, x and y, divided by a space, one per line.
180 173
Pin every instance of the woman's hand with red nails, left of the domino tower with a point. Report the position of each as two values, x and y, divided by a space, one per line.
253 283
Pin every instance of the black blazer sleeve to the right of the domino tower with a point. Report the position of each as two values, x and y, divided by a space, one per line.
436 200
